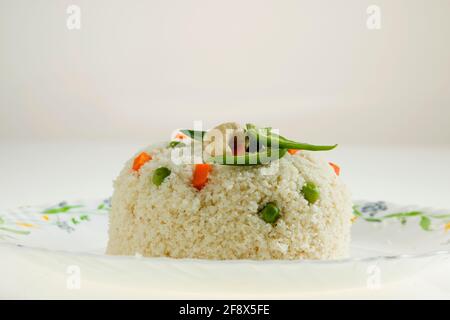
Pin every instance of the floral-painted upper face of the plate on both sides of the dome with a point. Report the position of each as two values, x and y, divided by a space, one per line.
379 228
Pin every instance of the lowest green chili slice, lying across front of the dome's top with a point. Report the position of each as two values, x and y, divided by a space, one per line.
248 159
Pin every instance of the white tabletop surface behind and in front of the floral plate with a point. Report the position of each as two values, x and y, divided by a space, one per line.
48 172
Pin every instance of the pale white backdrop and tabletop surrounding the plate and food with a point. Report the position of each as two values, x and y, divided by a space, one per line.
74 105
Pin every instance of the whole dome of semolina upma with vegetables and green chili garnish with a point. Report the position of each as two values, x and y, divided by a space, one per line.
233 203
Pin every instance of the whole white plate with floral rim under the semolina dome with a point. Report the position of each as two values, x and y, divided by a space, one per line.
389 242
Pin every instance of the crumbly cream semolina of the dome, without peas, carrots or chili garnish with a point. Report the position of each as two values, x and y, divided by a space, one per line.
221 221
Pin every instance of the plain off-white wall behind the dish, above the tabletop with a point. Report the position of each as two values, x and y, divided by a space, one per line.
139 69
